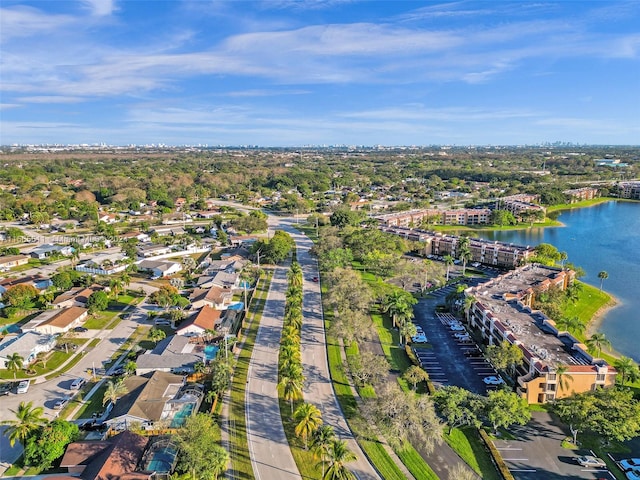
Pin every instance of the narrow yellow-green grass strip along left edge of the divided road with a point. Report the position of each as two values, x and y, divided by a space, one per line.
239 447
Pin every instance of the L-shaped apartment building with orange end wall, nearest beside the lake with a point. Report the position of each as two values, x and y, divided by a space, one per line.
503 312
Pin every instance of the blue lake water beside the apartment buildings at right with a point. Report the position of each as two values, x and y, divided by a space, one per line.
604 237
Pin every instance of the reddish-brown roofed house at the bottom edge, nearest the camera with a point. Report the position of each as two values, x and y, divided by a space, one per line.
117 457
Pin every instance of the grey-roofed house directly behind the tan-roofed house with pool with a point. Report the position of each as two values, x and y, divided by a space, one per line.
173 354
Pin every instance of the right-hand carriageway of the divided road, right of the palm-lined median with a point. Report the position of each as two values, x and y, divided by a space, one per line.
318 388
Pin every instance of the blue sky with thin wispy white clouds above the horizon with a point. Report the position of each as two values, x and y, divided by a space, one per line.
312 72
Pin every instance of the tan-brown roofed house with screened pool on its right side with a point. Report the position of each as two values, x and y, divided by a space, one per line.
156 398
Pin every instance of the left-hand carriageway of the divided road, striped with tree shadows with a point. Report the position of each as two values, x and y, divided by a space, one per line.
269 450
